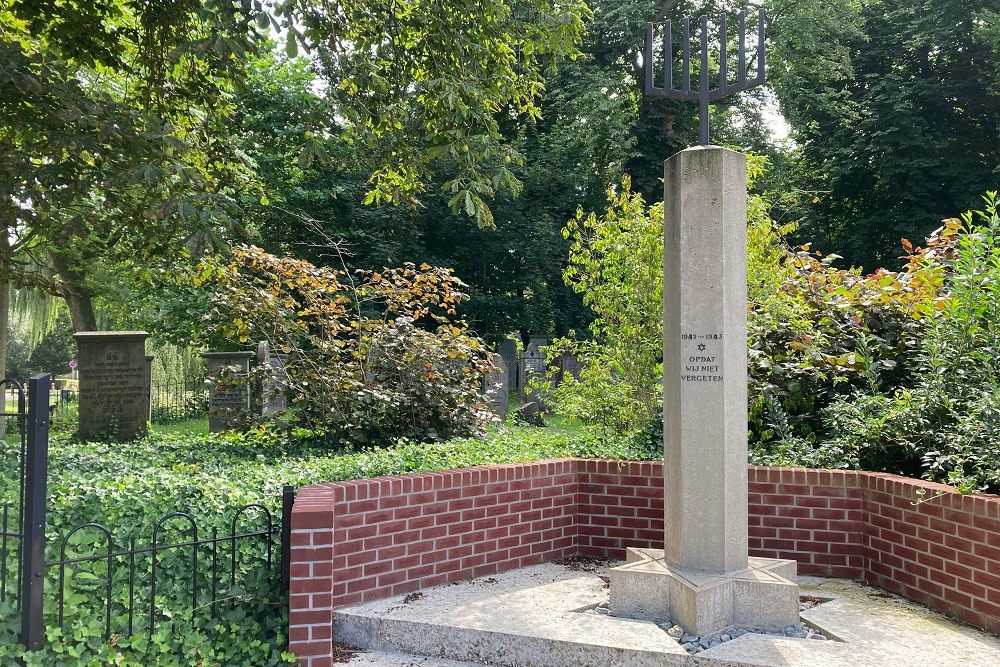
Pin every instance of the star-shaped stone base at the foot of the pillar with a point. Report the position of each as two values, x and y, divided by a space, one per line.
764 595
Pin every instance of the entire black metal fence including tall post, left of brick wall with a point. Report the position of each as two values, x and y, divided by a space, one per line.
132 582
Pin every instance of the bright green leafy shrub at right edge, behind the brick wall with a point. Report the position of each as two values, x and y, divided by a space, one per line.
947 425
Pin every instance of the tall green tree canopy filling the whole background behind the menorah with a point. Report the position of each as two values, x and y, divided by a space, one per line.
463 134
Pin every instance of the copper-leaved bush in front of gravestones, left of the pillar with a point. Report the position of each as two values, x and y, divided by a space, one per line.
370 356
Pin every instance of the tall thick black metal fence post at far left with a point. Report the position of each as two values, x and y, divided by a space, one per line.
33 542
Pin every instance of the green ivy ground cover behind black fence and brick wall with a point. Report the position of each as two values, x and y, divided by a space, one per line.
130 486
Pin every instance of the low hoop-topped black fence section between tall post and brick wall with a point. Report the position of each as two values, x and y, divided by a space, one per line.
133 589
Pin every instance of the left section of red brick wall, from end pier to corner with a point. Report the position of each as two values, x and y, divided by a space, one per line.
393 535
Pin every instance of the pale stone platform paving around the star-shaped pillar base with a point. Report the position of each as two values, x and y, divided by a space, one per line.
544 616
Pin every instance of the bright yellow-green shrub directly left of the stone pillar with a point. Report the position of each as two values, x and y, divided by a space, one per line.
615 263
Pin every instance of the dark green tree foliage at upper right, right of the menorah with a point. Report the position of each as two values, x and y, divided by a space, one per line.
896 113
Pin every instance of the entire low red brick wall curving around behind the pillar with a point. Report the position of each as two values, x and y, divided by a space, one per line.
366 539
